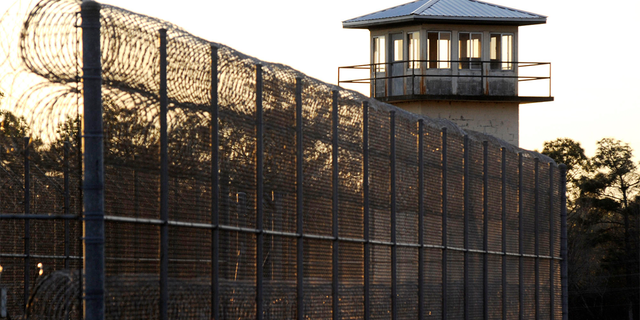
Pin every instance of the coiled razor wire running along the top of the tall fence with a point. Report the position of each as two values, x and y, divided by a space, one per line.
40 76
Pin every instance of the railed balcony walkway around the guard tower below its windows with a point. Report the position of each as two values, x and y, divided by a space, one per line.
452 80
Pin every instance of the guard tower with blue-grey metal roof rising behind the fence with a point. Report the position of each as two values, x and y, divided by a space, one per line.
455 59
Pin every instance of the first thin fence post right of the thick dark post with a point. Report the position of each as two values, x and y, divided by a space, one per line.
164 180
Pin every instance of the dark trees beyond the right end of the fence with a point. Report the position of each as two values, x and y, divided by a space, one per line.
603 207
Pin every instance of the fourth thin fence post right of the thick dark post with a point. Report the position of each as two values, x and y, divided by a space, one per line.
300 200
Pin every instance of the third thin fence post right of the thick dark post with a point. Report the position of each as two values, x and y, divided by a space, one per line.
260 192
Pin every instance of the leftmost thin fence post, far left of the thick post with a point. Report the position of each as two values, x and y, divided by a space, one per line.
27 223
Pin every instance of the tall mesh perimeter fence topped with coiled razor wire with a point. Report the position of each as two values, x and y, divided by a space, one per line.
216 186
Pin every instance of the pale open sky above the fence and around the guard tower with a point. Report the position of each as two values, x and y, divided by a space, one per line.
591 45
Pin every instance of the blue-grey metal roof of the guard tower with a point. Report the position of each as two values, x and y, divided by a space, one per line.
446 11
